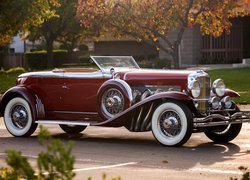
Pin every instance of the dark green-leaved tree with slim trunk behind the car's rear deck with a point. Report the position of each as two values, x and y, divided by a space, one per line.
64 28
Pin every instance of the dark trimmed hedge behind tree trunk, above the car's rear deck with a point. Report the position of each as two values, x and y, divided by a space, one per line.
38 59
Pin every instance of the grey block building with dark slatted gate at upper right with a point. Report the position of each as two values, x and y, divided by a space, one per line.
228 48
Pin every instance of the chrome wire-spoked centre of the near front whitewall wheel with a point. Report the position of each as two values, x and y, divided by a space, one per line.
170 123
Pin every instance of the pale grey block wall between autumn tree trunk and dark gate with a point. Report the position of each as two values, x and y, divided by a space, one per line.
190 48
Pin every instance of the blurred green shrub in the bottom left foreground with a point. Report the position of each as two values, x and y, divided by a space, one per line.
56 163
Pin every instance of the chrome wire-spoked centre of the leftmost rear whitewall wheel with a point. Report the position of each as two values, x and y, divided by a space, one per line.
19 116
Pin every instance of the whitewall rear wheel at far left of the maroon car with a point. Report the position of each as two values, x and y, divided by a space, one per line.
18 118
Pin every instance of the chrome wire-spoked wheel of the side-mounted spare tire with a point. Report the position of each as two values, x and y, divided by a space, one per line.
112 102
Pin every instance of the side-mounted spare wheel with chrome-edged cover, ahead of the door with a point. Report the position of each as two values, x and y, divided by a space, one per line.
113 97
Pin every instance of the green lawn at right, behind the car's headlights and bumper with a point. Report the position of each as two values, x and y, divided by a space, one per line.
235 79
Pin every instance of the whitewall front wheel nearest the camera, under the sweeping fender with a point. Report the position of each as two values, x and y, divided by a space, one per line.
172 124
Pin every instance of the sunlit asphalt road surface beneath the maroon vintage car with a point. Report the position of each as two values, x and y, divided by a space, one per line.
117 152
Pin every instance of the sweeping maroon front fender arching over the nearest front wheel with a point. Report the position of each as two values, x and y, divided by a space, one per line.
138 117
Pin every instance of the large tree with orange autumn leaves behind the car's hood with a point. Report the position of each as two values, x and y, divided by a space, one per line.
154 19
